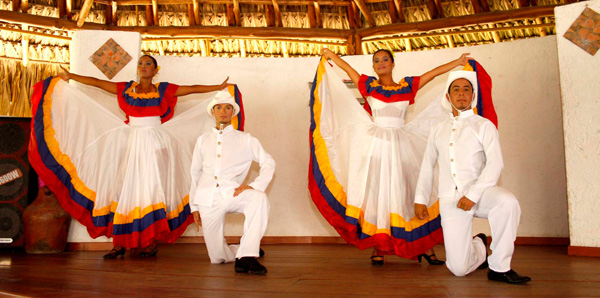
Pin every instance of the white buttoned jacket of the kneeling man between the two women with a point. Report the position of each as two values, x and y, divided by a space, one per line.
221 162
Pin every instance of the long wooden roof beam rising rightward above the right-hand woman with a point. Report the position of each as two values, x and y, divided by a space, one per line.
457 22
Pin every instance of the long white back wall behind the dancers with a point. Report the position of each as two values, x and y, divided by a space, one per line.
276 96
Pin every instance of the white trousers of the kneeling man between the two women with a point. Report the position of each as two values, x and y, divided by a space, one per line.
255 207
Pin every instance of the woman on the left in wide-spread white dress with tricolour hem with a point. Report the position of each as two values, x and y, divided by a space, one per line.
129 182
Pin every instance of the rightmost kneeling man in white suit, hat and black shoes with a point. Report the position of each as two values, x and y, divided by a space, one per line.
470 161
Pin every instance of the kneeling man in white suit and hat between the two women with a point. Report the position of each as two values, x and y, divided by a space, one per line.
221 161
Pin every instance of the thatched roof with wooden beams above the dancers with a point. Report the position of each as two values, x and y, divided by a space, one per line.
249 28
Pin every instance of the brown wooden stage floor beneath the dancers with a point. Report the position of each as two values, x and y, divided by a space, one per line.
295 270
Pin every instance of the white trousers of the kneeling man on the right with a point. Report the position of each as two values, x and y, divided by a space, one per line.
464 253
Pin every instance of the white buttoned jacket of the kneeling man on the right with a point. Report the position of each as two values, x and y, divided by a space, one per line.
469 156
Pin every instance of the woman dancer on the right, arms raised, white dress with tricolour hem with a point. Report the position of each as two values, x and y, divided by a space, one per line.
379 162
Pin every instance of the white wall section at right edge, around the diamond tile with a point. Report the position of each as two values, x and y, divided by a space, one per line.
580 88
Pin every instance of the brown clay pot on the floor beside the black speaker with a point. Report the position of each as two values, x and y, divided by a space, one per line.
46 224
